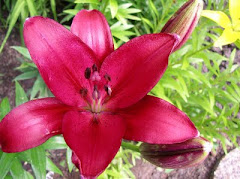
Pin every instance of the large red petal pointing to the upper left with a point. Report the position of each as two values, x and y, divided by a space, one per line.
61 58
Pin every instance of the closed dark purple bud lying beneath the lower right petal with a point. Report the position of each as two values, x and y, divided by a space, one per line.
179 155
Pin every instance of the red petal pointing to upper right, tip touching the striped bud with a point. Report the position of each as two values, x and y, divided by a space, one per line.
136 67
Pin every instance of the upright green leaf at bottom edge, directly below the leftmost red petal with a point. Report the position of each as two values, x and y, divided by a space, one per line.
38 161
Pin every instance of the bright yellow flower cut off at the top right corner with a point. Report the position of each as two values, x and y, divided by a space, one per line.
231 31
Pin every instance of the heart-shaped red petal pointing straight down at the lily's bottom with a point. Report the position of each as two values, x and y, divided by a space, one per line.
94 138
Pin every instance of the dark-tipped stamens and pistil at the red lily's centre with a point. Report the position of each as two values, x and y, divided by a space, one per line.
98 91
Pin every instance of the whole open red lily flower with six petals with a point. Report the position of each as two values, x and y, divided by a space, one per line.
100 94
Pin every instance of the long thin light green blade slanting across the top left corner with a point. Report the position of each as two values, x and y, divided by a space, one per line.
14 16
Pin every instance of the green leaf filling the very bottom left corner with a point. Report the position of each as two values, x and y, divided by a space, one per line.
6 163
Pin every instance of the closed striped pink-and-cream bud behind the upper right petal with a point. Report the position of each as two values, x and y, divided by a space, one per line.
184 21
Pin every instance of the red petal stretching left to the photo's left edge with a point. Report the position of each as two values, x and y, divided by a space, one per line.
31 124
